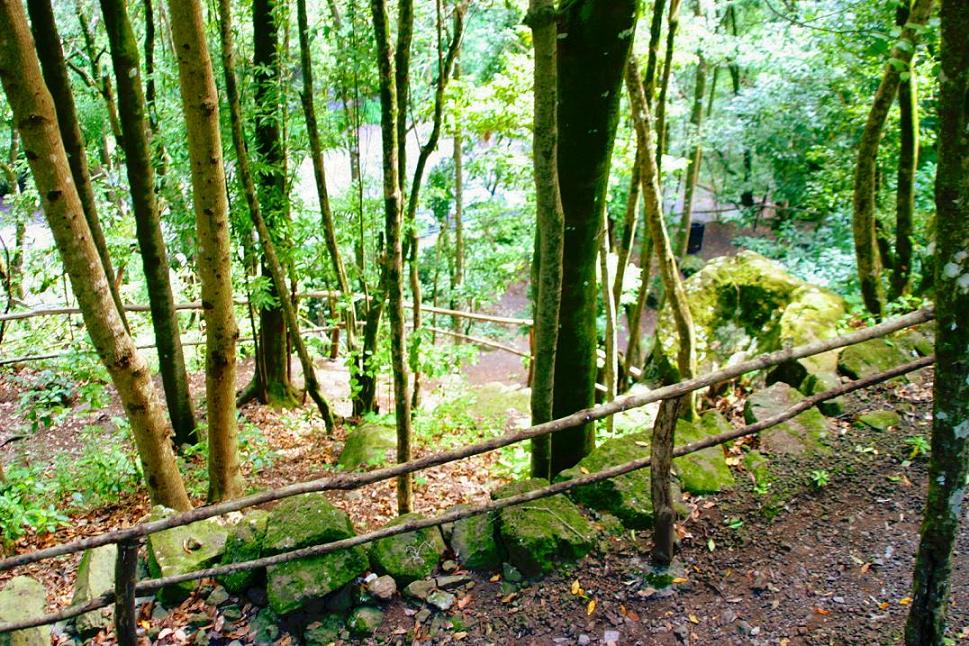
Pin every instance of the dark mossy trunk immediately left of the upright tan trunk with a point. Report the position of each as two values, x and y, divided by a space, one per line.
154 257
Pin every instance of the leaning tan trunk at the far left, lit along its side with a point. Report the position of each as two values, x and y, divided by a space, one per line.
33 110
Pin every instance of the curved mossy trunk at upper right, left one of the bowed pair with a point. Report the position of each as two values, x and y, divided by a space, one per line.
863 203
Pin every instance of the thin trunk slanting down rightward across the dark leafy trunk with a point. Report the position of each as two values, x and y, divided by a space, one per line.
249 189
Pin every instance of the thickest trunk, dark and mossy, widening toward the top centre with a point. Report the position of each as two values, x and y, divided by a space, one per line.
592 48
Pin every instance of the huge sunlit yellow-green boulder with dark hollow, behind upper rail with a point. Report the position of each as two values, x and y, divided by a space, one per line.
744 305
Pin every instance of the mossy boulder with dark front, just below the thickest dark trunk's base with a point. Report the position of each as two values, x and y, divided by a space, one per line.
539 535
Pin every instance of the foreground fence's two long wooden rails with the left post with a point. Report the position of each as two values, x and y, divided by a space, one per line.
129 539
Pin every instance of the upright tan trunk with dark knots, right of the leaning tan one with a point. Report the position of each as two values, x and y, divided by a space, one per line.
200 104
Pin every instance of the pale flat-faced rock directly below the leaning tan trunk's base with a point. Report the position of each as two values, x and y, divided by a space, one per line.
183 549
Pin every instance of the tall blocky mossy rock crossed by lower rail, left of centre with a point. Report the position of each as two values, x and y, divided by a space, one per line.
303 521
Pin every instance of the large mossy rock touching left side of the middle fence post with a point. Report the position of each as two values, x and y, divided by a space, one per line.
626 497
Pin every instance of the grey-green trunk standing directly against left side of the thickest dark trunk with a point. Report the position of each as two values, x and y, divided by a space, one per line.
549 219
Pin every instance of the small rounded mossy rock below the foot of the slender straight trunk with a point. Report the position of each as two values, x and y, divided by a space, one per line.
408 557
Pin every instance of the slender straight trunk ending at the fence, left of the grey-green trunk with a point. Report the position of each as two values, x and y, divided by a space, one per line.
393 254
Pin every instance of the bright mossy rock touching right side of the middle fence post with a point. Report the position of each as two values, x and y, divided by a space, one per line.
705 471
